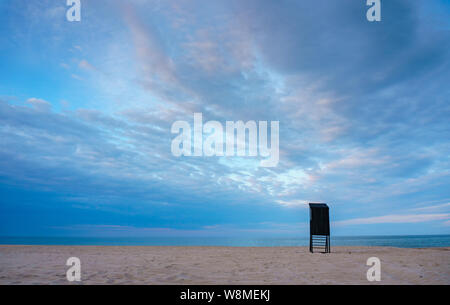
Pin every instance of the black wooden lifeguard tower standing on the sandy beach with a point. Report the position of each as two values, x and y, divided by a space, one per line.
319 227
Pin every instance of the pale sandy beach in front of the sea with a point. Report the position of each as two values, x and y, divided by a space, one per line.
222 265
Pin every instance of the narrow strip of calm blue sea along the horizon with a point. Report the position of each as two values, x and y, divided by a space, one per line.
412 241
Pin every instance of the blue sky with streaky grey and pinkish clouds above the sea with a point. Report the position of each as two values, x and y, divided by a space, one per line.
86 110
